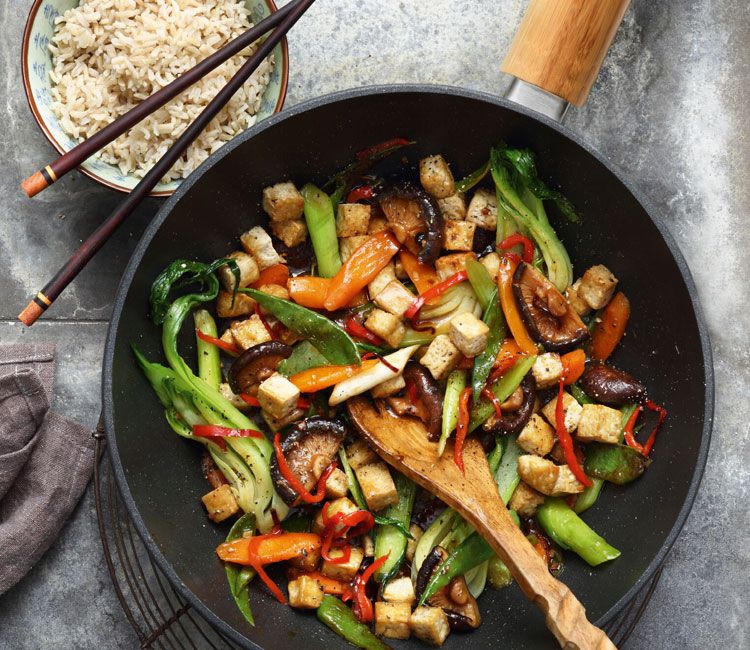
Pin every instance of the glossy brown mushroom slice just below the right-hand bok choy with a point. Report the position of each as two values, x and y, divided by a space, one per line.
548 315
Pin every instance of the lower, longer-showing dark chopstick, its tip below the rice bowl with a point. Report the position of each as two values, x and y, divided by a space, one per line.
98 238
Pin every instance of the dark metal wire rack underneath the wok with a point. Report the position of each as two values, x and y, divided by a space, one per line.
162 619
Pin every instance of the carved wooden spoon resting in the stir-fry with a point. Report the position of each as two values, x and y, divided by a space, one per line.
403 443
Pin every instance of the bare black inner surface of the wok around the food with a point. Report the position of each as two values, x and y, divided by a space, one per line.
662 346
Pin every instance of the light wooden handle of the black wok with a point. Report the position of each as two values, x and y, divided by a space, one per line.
561 44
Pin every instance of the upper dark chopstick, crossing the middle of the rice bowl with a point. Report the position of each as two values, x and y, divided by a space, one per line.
51 173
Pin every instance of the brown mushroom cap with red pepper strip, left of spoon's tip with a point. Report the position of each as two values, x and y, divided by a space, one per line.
308 442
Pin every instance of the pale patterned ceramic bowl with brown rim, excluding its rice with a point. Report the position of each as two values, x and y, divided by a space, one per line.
37 63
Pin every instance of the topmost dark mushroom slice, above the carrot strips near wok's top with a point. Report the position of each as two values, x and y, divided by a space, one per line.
416 220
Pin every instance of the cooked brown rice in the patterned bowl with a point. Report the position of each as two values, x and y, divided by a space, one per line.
109 55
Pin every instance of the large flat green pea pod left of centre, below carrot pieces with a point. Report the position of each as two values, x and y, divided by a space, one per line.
327 337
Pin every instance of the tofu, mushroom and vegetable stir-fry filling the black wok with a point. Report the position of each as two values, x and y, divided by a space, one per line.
450 302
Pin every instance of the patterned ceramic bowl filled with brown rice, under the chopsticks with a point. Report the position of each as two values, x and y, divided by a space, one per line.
86 62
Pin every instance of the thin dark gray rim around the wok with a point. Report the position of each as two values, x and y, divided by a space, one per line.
395 89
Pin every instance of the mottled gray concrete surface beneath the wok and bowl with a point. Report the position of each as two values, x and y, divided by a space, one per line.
669 108
